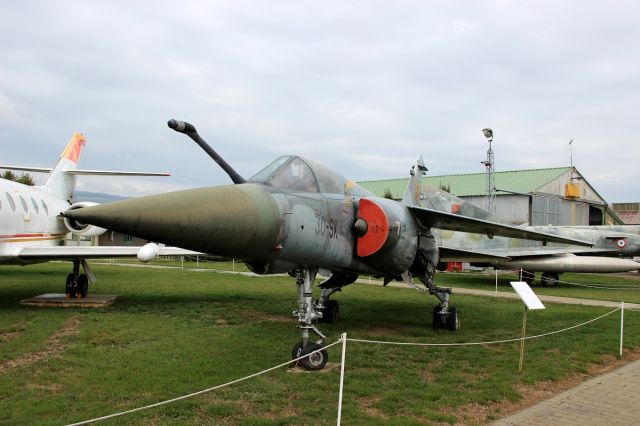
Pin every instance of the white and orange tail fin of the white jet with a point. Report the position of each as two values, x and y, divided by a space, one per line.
58 182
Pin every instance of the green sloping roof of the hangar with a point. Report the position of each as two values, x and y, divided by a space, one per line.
519 181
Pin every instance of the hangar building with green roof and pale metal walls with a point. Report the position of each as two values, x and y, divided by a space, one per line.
552 196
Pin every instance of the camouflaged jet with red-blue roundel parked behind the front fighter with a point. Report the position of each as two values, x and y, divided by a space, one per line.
612 245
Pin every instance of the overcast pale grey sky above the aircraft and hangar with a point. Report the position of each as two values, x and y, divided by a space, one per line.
365 86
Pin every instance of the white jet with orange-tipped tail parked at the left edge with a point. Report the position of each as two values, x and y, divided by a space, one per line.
32 232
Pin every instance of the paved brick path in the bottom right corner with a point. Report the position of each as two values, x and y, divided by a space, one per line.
612 398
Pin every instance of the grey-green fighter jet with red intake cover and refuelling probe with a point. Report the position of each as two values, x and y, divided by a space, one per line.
299 216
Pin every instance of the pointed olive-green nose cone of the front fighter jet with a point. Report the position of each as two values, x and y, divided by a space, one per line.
236 220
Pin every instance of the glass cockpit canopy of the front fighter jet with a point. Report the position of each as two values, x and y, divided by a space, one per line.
303 174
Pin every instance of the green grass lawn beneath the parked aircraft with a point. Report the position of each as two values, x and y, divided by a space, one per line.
175 332
